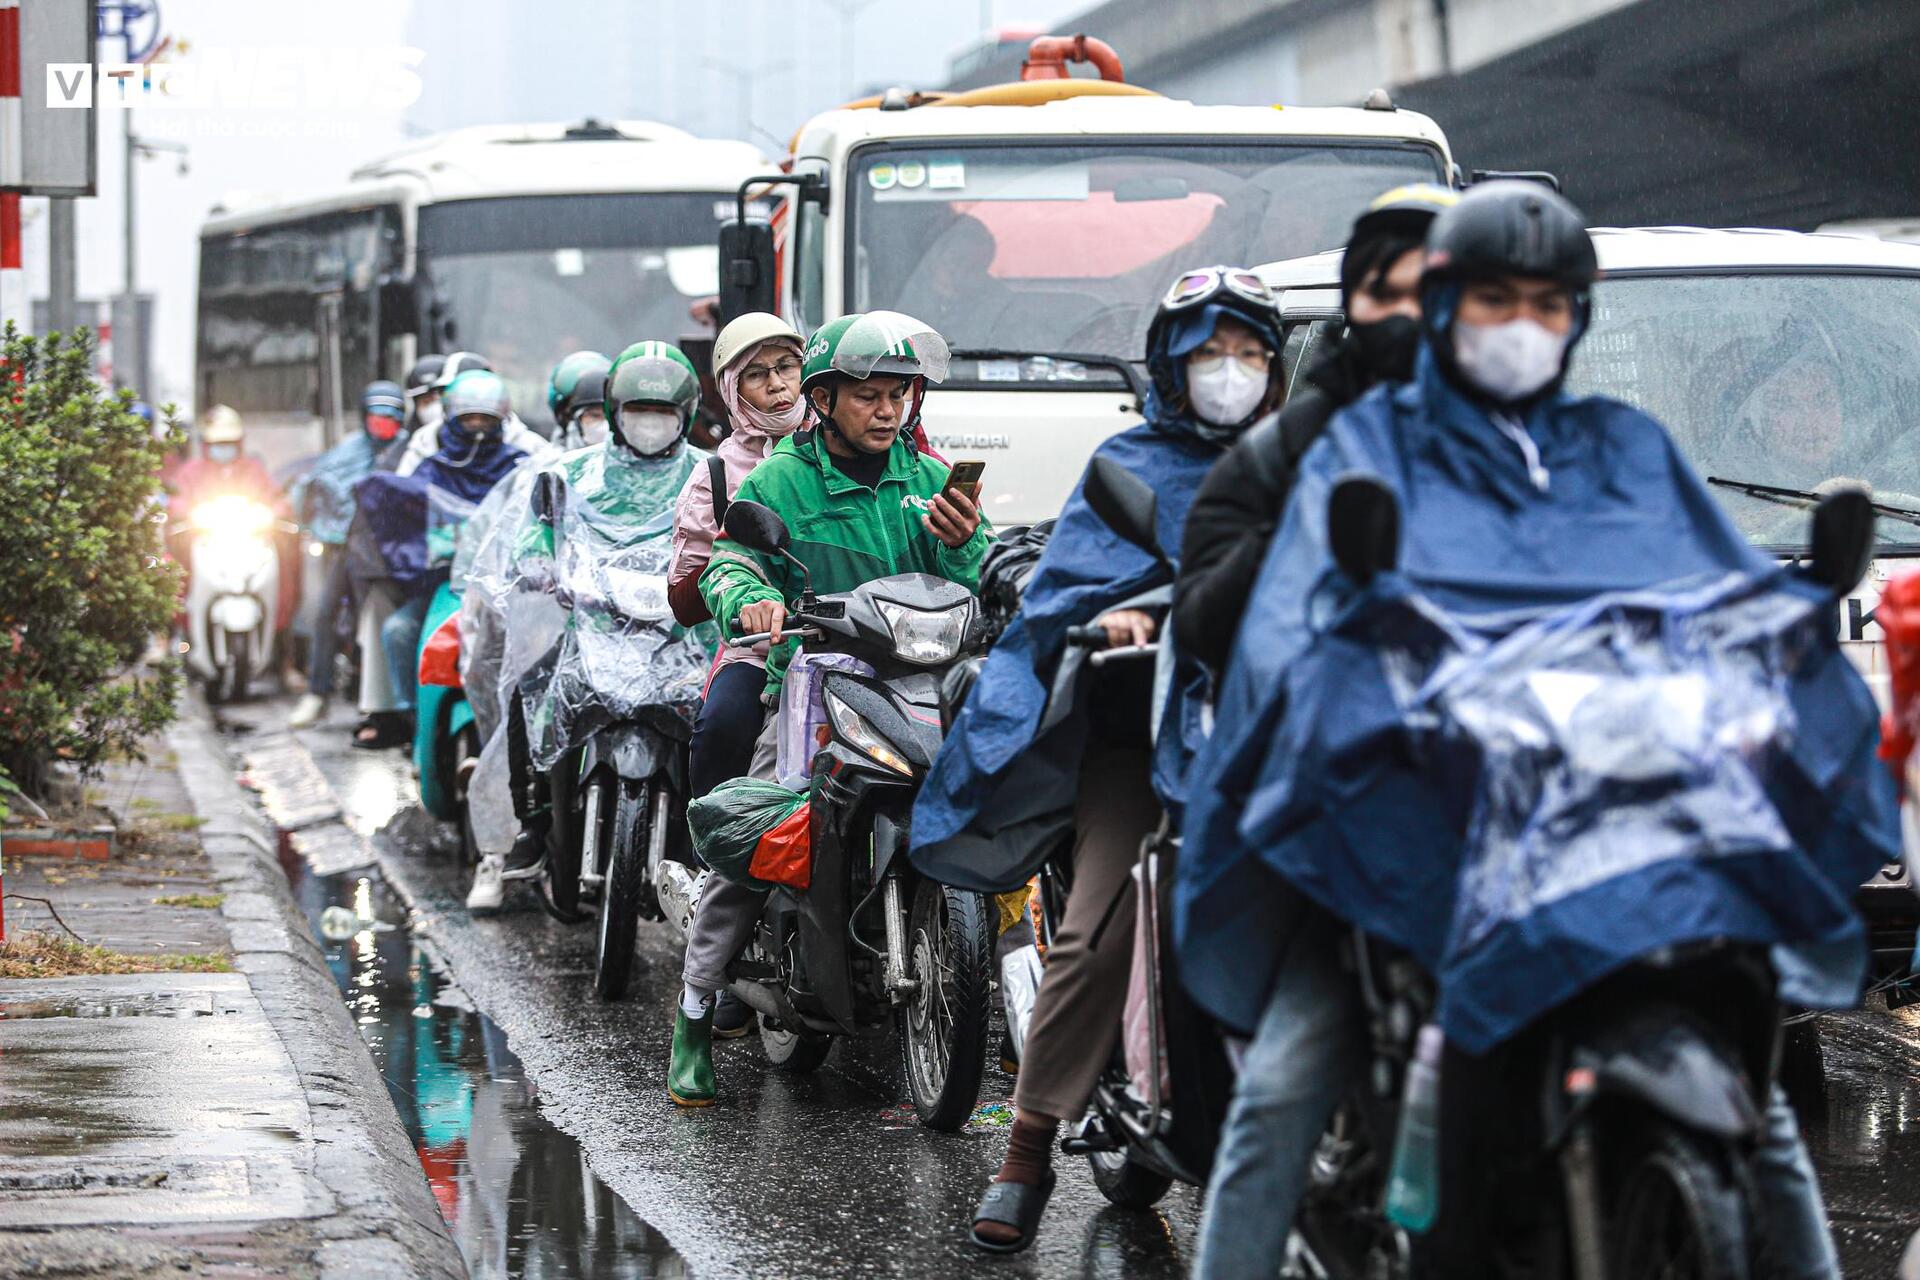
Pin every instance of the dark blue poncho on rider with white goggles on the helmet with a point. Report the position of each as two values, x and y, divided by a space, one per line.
994 805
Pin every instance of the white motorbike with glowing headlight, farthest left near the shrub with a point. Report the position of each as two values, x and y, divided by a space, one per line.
233 592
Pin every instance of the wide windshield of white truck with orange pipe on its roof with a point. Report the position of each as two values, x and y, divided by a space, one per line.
1053 249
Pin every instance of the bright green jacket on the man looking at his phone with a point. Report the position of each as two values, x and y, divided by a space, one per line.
844 533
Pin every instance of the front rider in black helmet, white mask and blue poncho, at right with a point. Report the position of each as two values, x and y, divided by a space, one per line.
1308 815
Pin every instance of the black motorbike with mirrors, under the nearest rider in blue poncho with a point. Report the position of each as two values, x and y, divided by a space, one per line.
1639 1099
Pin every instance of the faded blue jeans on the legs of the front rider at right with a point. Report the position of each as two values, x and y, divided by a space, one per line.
1312 1043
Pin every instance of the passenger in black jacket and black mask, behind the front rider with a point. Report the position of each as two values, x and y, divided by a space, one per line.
1237 510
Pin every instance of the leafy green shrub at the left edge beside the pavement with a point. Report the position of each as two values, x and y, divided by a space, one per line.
85 581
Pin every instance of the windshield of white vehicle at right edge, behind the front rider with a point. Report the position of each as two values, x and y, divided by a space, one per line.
1783 381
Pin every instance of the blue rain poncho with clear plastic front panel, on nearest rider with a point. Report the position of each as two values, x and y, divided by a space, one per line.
1439 759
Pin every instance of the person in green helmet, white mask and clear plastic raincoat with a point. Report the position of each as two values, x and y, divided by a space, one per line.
612 498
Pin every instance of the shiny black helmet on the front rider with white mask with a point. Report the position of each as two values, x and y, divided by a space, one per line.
1504 229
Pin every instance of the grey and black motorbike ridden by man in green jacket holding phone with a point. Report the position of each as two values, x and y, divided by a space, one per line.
871 945
